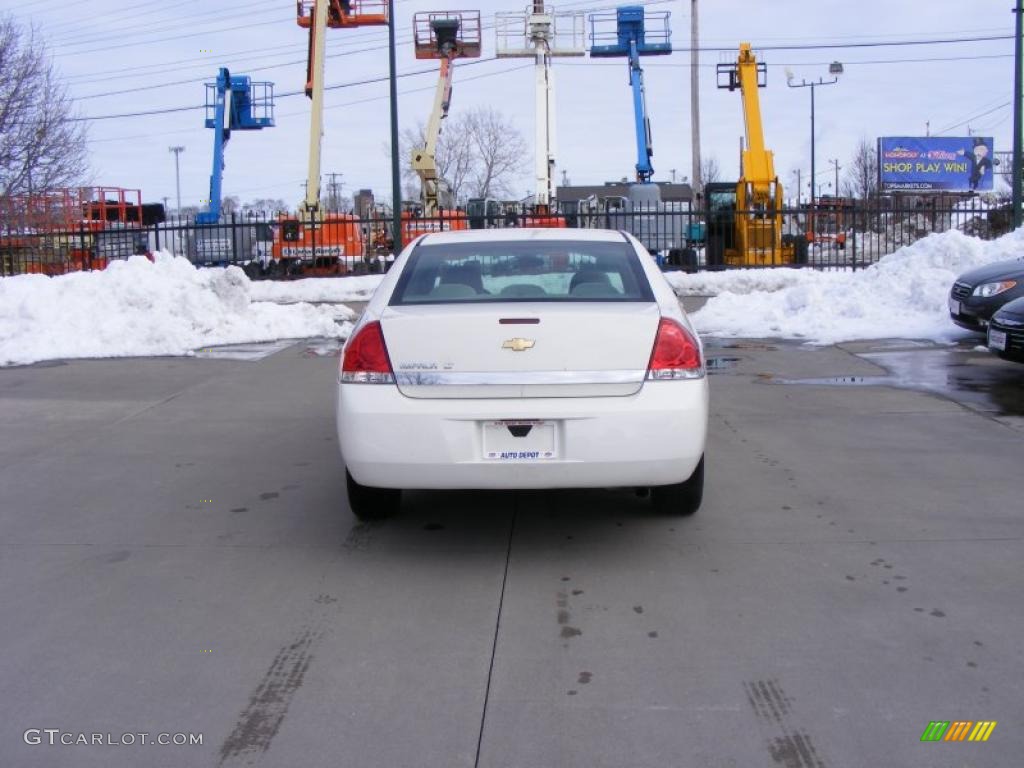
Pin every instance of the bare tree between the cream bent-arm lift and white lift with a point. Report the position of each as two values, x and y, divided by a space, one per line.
499 151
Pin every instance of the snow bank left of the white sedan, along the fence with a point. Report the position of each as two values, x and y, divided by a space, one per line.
139 308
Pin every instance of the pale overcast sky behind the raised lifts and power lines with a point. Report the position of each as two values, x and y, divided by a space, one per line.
163 53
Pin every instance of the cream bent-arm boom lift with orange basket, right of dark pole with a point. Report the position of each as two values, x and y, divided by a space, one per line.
445 36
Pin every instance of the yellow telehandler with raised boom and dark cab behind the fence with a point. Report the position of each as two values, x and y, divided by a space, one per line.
745 219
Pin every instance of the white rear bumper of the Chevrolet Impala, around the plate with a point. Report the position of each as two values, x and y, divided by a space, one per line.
654 438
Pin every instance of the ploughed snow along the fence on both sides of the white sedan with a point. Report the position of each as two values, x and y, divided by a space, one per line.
168 307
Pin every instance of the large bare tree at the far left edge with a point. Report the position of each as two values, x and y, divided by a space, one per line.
40 147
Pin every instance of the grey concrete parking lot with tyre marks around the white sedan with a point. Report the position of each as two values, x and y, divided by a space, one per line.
178 557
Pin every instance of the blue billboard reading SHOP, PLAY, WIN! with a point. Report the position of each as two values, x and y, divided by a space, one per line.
935 163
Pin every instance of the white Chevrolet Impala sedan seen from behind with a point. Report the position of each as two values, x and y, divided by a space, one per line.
523 359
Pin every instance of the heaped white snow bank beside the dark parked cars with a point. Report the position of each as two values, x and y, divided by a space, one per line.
904 295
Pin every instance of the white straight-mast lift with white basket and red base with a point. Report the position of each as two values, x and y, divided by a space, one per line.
540 33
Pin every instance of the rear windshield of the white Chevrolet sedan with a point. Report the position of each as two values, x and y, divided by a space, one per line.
525 271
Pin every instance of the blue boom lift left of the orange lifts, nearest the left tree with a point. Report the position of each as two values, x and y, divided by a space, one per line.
234 103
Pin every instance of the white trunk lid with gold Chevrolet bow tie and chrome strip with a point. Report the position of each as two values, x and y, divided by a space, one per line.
521 350
